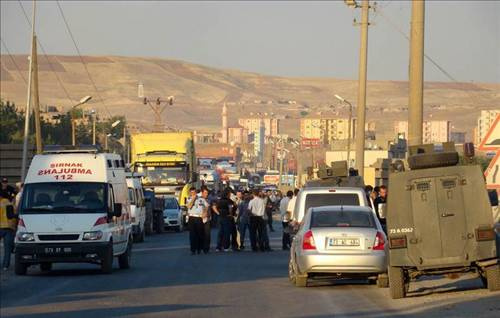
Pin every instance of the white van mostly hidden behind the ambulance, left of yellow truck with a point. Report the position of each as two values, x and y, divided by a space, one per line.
137 206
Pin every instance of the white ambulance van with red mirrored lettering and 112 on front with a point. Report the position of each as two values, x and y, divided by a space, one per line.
74 208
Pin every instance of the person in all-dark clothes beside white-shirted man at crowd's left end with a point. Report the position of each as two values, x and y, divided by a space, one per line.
224 209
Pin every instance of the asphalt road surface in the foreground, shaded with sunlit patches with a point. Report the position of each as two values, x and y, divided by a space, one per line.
166 281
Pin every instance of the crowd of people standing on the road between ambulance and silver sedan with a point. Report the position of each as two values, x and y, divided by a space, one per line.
235 213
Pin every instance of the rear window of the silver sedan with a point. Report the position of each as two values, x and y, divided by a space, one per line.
344 218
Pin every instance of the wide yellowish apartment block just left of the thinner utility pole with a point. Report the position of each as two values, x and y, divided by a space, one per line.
326 130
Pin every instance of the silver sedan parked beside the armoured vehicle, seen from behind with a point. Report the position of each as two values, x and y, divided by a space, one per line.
339 242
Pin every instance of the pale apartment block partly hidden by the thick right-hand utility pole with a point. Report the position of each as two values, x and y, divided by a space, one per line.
432 130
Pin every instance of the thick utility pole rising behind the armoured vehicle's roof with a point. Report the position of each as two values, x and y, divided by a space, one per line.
416 81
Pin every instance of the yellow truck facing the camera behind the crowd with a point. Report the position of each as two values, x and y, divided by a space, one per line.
167 162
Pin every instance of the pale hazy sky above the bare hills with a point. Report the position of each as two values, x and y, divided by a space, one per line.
283 38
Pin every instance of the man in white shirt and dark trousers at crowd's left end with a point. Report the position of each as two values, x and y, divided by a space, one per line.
196 207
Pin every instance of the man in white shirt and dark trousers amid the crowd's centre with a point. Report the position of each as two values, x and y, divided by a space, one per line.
257 208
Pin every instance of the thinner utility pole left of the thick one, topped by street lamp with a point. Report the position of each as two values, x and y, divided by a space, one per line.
360 123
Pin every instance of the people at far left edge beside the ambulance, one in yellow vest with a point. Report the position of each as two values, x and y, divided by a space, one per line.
9 197
